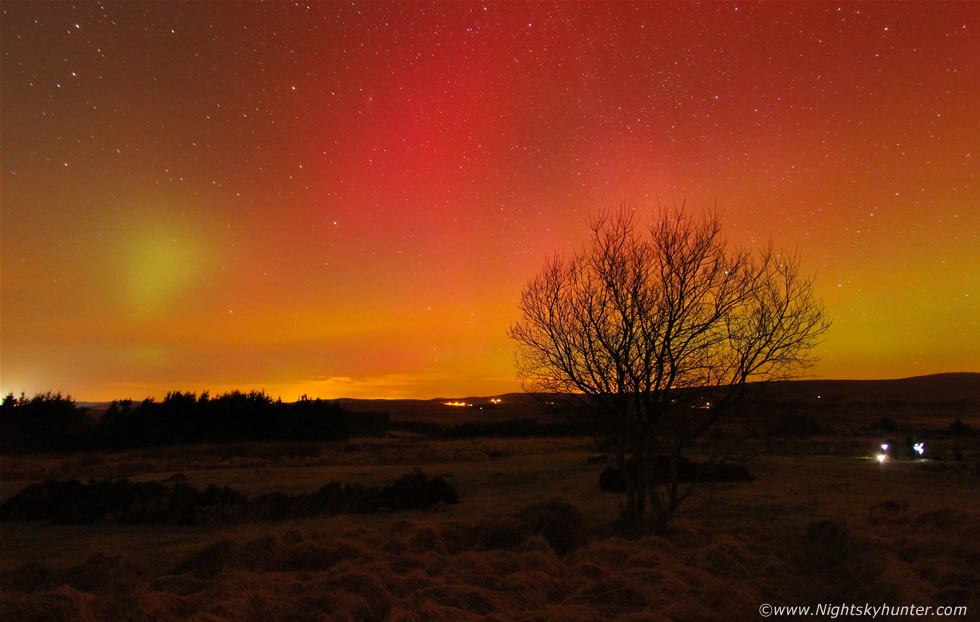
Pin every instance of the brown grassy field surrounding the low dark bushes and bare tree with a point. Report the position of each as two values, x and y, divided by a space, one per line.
821 523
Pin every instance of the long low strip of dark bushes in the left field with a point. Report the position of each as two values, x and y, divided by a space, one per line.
122 501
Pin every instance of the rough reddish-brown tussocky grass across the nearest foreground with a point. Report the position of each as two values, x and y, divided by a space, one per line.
424 569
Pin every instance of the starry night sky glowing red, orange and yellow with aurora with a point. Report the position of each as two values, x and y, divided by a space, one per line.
345 200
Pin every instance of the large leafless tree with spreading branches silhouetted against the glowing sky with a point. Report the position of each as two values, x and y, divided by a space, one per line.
655 331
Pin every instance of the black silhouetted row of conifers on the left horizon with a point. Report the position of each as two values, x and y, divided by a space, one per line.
51 422
